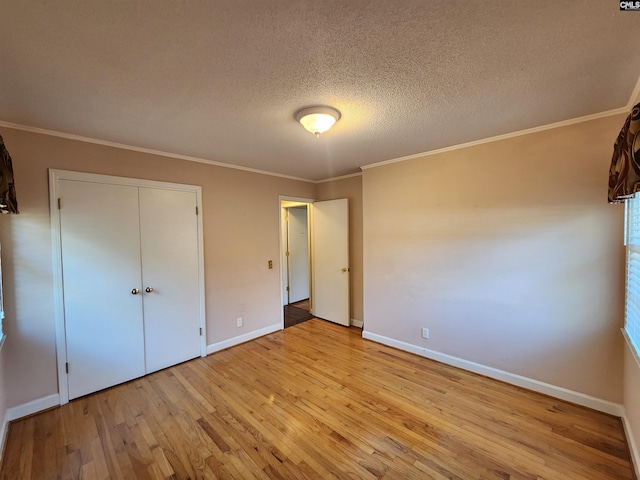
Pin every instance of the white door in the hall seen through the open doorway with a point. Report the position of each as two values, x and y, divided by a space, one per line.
298 254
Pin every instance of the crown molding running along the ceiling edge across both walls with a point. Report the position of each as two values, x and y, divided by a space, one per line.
633 99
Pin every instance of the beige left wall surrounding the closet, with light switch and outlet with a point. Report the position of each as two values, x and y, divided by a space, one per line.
240 235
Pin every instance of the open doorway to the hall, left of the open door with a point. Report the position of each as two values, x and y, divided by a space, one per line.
296 262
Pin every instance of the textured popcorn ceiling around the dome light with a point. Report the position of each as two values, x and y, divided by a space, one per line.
221 80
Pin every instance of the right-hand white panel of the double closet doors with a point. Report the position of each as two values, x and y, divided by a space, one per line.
169 245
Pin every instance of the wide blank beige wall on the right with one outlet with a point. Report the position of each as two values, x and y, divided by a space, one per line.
507 252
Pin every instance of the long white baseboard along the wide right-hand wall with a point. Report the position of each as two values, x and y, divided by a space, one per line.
512 378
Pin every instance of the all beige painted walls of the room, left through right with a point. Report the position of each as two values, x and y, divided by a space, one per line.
517 265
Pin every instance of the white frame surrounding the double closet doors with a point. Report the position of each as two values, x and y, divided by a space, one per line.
58 297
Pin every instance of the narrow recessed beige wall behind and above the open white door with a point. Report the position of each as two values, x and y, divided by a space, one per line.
350 188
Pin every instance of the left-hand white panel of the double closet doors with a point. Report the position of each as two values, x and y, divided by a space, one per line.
101 266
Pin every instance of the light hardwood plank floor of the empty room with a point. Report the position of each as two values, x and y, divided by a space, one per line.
316 401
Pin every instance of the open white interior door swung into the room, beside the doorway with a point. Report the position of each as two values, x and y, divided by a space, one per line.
330 248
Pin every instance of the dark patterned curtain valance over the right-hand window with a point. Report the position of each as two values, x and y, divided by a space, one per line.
624 174
